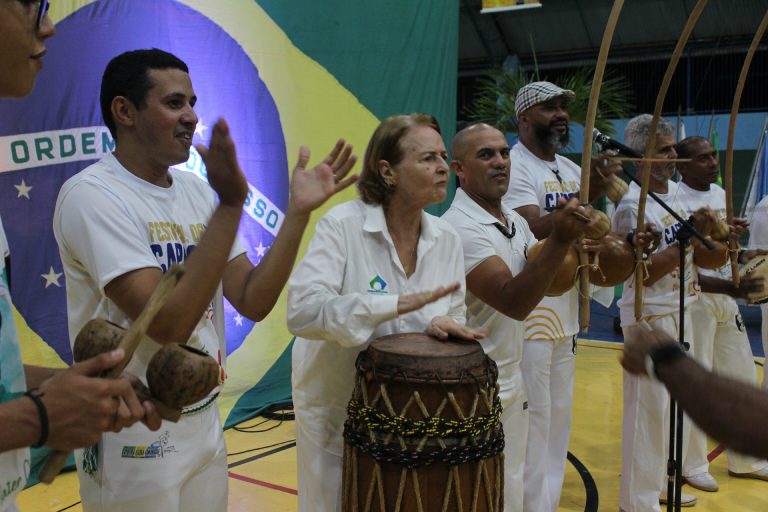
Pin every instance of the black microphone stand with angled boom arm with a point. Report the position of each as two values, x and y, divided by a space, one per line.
683 236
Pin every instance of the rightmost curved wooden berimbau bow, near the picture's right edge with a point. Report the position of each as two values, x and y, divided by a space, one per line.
733 242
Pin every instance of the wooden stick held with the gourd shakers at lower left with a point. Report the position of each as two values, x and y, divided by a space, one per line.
129 342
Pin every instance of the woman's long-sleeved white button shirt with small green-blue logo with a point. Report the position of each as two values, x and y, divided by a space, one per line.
344 294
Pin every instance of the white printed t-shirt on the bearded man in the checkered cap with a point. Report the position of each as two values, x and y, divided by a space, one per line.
533 182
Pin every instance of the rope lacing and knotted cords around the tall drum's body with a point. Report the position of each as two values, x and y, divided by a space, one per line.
387 445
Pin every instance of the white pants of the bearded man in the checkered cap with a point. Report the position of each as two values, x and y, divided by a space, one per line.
548 369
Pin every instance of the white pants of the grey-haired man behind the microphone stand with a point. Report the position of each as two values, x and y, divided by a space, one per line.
645 433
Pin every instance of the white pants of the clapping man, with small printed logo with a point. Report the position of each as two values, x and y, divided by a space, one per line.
180 468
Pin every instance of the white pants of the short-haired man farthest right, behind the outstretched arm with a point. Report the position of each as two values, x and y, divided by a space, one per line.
721 343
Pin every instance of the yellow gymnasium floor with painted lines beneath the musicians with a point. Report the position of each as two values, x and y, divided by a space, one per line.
263 456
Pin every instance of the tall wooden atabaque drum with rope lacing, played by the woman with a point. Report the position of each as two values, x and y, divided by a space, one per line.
423 429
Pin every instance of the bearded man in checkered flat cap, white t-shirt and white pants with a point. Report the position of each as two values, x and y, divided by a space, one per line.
538 178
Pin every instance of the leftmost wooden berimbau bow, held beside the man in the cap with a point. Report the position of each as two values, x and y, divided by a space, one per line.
586 152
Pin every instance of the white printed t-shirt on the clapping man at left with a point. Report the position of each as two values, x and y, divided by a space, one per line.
109 222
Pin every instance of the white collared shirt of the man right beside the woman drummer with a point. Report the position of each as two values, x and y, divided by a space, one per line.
481 239
